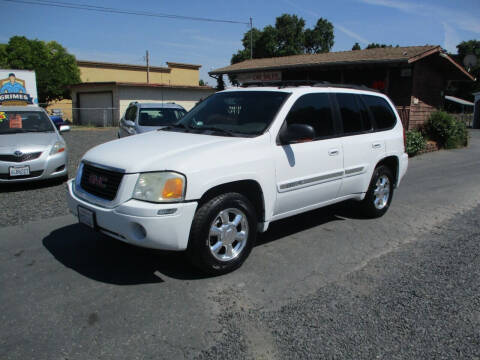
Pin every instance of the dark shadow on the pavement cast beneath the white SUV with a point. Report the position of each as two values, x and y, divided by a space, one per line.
107 260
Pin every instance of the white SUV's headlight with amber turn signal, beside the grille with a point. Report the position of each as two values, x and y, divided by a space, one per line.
160 187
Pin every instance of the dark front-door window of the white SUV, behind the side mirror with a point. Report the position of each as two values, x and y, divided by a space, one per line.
313 110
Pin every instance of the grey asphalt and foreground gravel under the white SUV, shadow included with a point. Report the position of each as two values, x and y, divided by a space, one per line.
326 284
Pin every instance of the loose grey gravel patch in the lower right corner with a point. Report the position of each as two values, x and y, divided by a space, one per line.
421 301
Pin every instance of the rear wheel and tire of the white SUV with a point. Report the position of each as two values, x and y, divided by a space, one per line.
379 194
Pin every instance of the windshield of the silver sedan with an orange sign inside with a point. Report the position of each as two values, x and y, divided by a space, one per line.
12 122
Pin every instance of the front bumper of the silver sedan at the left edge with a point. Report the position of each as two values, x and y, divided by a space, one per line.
45 167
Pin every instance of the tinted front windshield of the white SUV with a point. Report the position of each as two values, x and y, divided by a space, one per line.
234 112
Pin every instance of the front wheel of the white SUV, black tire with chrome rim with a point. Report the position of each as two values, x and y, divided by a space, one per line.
216 245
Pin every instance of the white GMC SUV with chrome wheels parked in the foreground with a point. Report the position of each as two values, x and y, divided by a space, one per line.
239 160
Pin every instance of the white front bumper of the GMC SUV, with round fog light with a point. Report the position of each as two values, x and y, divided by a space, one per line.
139 223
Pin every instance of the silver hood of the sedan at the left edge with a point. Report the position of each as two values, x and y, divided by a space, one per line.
27 142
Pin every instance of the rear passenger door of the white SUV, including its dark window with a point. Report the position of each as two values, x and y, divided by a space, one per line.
360 143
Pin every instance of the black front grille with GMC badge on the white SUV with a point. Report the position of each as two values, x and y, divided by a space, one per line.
100 182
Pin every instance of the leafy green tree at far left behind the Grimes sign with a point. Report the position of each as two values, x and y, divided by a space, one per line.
54 67
